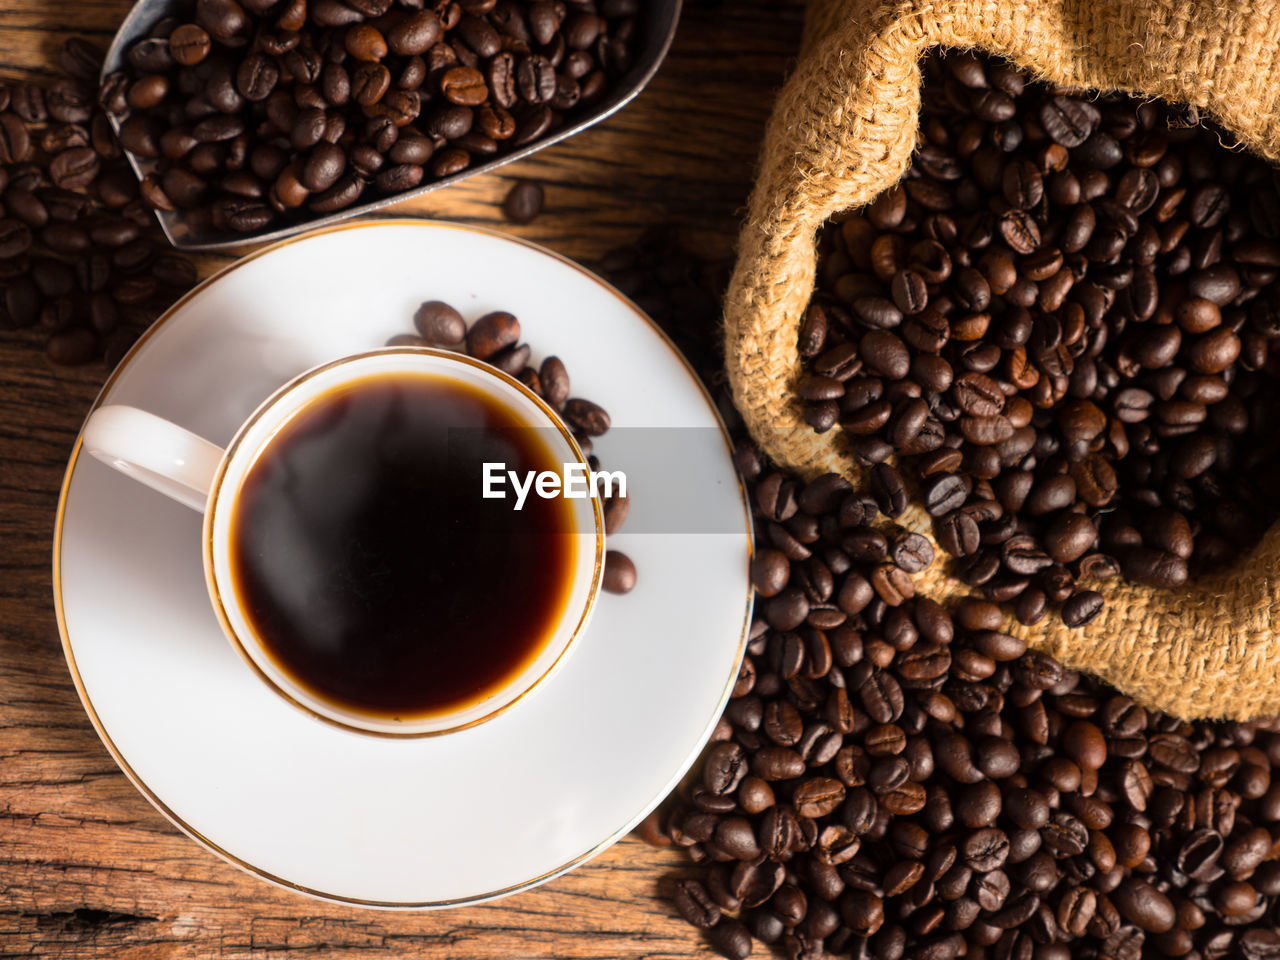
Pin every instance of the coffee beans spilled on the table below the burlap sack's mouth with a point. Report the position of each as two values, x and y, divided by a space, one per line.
894 780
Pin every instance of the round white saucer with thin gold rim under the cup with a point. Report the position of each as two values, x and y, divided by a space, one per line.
415 824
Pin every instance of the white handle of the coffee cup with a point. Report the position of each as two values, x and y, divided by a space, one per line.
156 452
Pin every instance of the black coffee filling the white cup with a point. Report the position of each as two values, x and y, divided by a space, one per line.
372 569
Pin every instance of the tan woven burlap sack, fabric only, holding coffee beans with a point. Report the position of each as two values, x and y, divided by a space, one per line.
844 130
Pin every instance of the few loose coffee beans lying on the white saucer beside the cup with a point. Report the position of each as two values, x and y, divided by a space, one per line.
495 339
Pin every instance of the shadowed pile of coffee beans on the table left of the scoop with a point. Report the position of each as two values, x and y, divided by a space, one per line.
80 255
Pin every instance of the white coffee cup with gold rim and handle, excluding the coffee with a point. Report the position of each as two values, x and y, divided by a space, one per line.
209 479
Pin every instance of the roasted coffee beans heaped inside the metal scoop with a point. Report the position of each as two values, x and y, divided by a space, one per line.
275 111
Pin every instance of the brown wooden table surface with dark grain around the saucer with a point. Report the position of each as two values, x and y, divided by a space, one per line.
88 867
